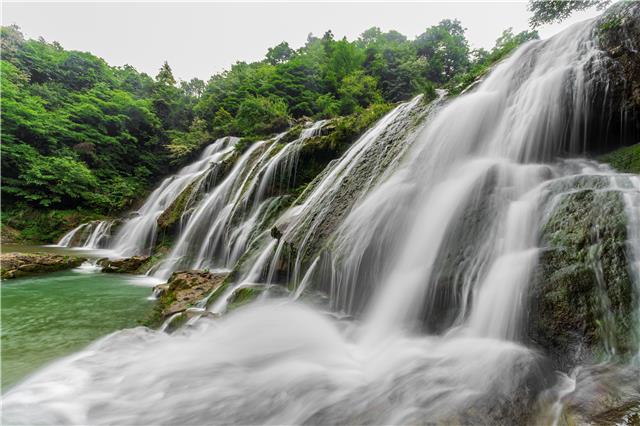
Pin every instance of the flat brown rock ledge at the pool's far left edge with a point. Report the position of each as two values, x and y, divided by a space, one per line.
14 265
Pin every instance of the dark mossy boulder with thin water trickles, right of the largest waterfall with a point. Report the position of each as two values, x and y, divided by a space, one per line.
583 302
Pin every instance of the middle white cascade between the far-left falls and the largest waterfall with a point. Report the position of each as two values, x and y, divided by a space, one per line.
222 224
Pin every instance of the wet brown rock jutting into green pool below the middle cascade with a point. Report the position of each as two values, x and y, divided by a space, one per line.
184 289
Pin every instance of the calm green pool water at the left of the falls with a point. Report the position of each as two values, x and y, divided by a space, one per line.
49 316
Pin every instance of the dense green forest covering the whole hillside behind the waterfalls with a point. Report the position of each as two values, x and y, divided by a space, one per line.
80 135
